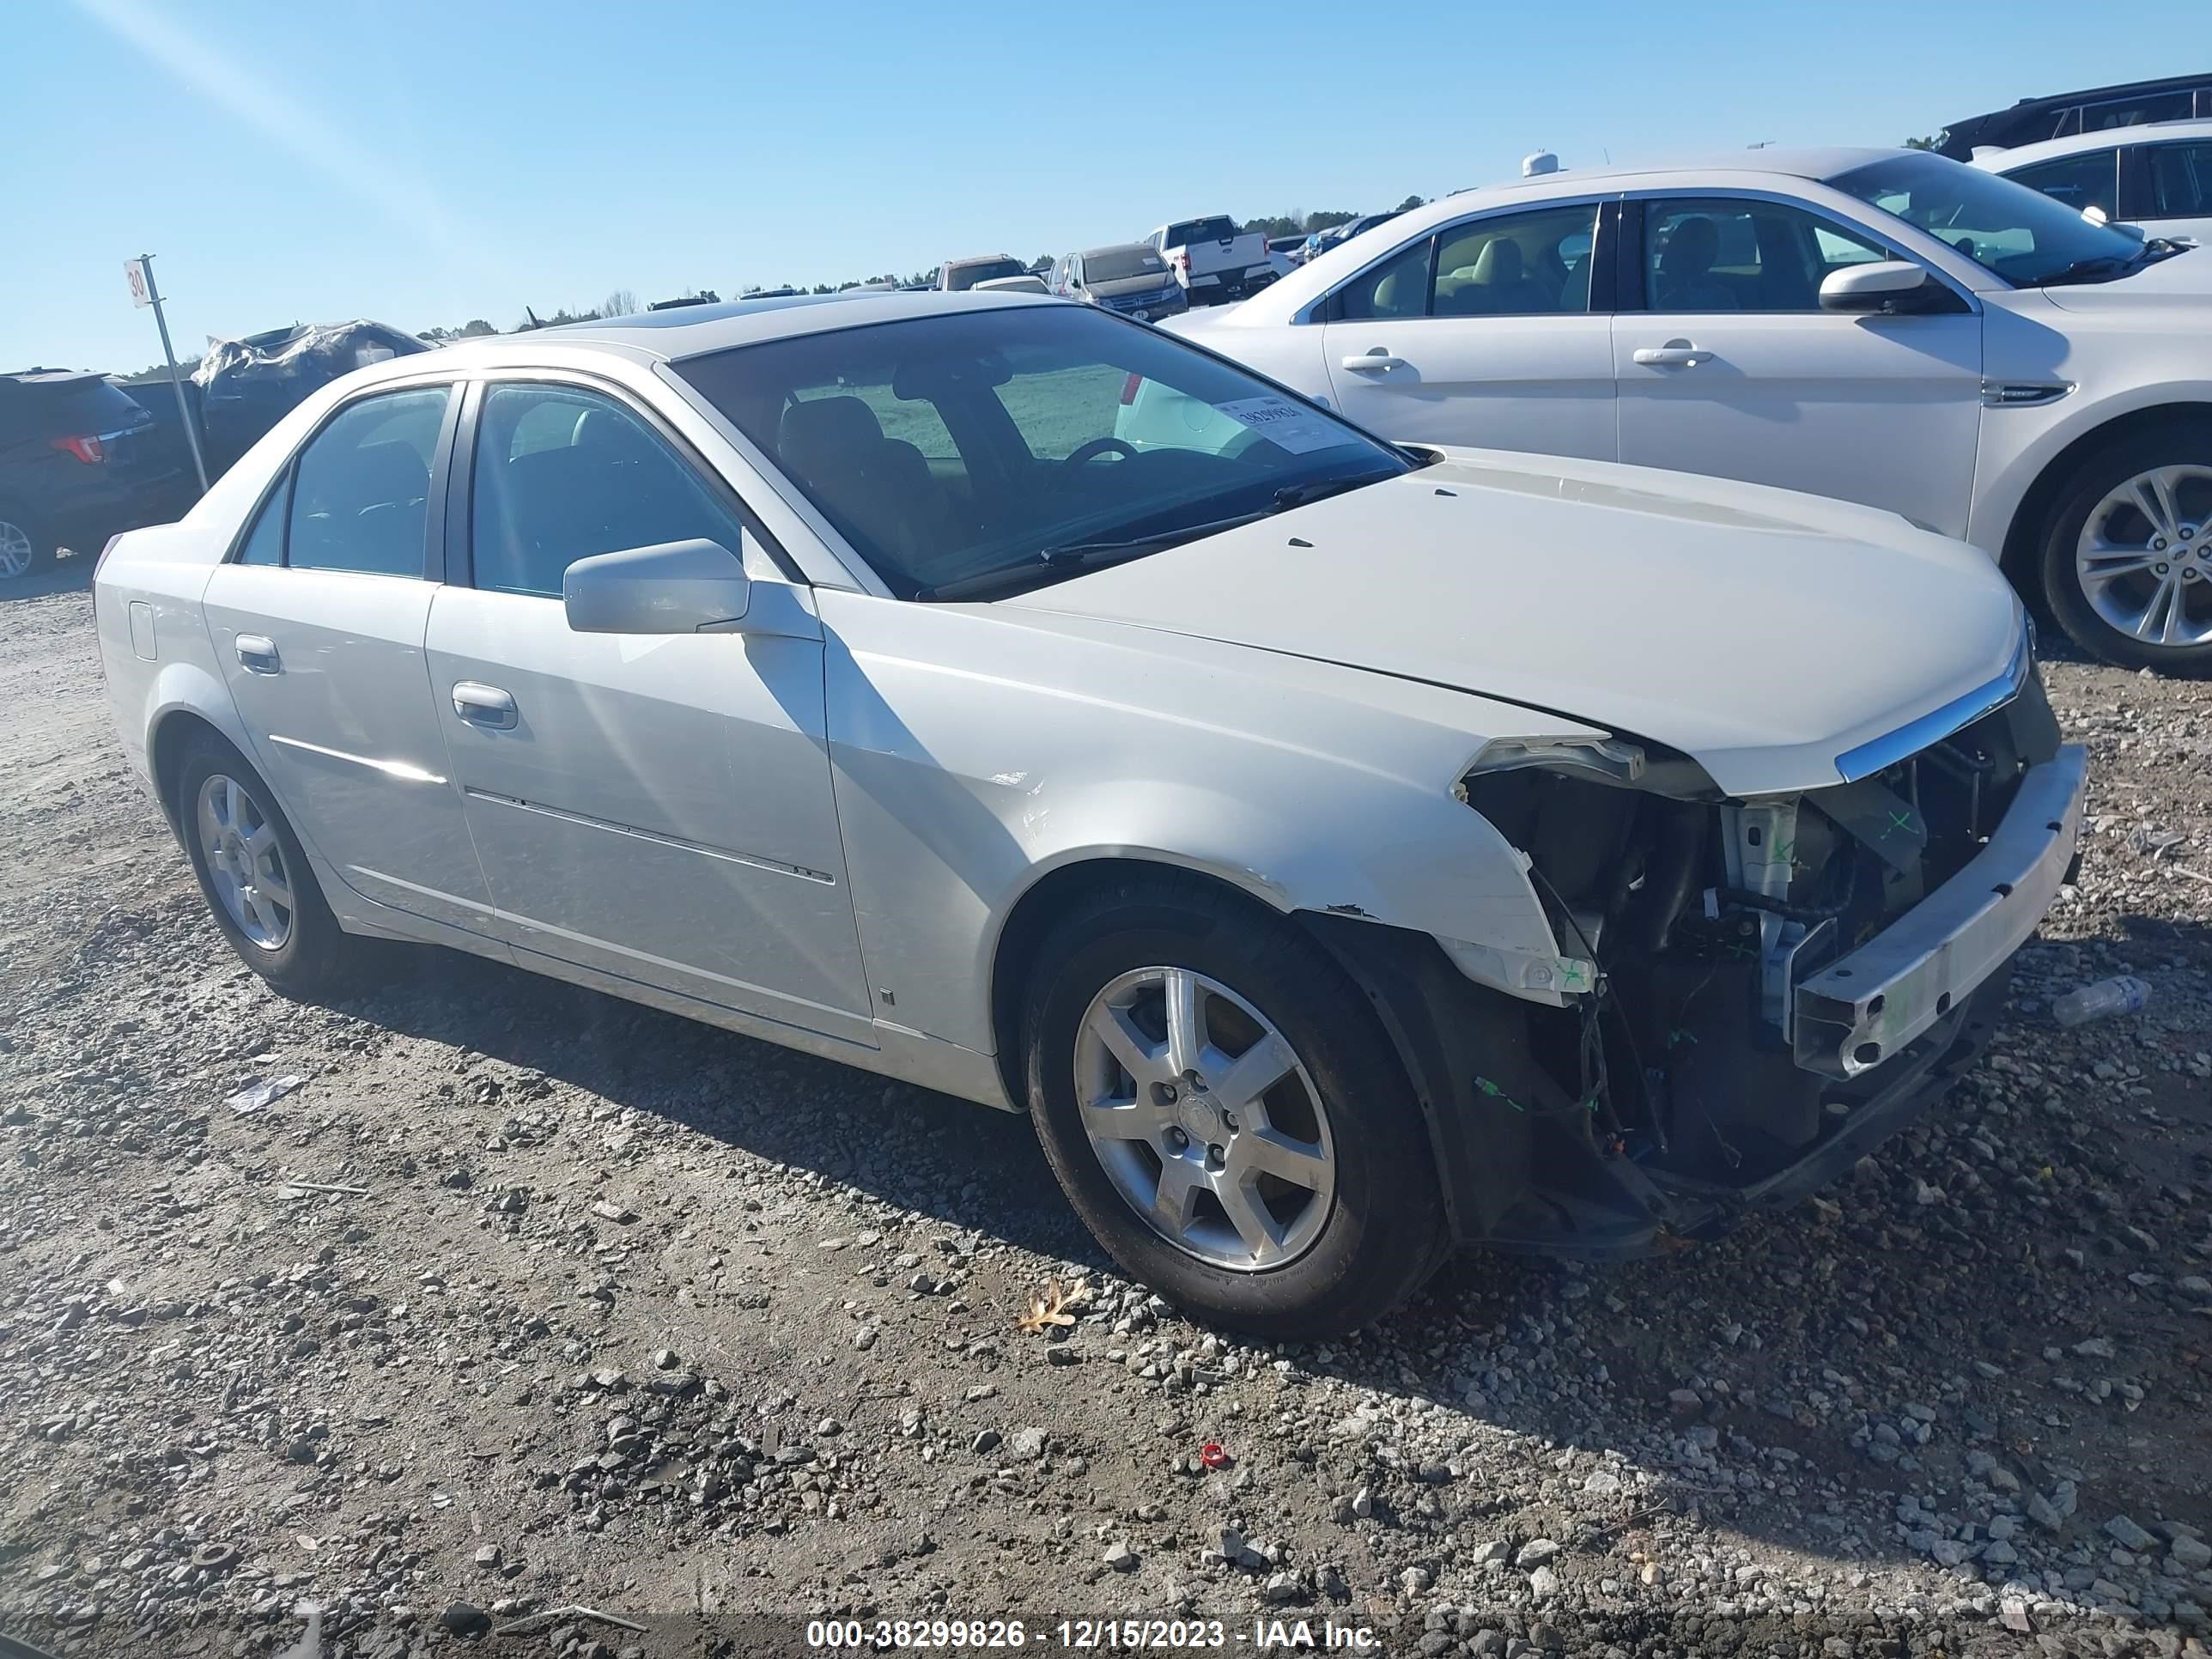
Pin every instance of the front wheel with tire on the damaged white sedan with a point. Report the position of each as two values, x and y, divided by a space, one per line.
1227 1116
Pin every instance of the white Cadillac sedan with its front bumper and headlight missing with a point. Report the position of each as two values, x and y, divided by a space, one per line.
1339 851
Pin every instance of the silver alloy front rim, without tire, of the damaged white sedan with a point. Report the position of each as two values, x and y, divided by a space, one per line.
1204 1118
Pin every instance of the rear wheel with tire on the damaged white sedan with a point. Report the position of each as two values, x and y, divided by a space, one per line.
258 879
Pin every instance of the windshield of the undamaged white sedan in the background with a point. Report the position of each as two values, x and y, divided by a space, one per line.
2003 227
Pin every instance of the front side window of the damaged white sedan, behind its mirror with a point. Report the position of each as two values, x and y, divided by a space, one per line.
565 474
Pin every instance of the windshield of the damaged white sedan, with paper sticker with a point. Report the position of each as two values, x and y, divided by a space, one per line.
957 448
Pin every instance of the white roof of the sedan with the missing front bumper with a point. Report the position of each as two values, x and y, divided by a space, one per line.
716 328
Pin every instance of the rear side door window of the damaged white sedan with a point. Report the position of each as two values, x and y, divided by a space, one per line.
362 486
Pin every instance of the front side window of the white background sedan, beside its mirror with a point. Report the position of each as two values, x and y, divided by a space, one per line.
1740 255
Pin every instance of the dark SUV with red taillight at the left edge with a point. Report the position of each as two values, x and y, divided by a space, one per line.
79 461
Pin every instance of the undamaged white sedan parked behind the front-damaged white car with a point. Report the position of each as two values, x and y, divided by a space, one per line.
1884 326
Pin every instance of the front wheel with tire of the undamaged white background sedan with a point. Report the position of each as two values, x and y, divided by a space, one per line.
2129 552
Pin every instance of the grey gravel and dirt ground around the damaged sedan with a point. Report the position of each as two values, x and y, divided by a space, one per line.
528 1300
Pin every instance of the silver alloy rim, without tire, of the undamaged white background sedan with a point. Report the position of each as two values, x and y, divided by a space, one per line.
2145 556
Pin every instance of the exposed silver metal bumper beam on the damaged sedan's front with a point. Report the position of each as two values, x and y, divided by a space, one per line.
1877 1001
